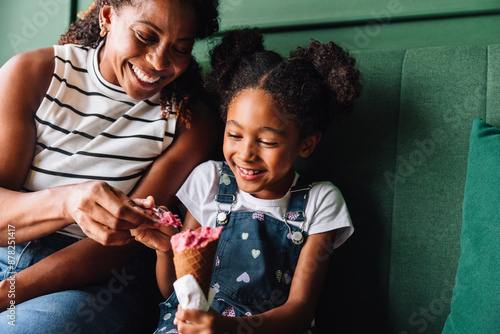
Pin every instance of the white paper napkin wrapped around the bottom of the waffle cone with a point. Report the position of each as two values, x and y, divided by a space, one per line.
190 295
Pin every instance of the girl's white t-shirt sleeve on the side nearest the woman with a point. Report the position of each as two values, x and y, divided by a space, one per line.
198 191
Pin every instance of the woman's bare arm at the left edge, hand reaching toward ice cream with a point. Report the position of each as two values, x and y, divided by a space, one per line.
101 211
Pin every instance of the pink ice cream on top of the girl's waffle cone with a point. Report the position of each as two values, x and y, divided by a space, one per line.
198 238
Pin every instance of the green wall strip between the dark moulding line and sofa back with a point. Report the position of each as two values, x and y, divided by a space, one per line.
473 30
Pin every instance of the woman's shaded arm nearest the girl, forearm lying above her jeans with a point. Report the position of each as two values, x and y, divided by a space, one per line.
190 147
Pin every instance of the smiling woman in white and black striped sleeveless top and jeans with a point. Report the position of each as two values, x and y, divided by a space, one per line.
86 128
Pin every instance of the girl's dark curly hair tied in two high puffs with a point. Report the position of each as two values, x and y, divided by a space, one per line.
311 86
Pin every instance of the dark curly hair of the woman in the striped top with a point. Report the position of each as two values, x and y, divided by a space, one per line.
184 89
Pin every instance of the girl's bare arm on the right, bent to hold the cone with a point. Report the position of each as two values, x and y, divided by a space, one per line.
292 317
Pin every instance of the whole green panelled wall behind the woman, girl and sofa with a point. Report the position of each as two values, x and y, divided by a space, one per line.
355 24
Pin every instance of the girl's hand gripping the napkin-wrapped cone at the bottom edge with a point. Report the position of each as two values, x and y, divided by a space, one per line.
198 322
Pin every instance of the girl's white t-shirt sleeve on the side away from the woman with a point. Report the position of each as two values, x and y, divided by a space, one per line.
327 211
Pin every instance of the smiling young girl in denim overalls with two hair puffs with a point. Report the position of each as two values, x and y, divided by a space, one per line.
279 230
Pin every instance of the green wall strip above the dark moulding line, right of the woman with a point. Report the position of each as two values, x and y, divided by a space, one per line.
289 13
